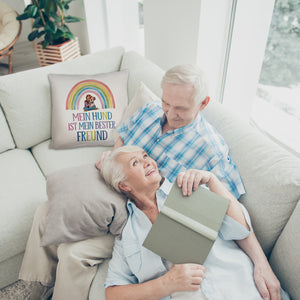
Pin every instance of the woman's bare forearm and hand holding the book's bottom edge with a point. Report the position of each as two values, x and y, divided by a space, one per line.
184 277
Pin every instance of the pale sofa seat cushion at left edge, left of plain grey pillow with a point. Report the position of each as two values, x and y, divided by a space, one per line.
22 188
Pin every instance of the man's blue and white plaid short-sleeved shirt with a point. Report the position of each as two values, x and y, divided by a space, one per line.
195 146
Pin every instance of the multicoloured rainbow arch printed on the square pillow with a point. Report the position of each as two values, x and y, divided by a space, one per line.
93 87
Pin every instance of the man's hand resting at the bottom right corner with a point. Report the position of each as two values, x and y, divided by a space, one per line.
266 282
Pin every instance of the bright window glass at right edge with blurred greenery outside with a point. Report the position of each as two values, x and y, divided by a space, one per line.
276 109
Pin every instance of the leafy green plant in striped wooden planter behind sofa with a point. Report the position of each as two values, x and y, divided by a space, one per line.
49 26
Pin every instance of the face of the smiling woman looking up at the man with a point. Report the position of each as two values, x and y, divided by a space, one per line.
140 170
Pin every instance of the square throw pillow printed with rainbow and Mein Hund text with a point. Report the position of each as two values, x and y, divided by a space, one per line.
87 108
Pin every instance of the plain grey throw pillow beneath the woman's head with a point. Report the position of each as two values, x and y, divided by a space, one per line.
82 206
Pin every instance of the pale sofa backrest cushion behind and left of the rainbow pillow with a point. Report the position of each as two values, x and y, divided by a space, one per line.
25 96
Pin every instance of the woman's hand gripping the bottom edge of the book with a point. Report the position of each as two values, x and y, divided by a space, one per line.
183 277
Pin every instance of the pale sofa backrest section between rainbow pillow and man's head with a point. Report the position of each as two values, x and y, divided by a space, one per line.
141 69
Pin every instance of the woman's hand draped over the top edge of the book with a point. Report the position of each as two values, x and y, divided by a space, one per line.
189 180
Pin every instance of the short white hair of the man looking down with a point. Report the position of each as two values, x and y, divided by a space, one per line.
188 74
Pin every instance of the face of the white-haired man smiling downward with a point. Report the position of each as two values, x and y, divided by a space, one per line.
179 105
